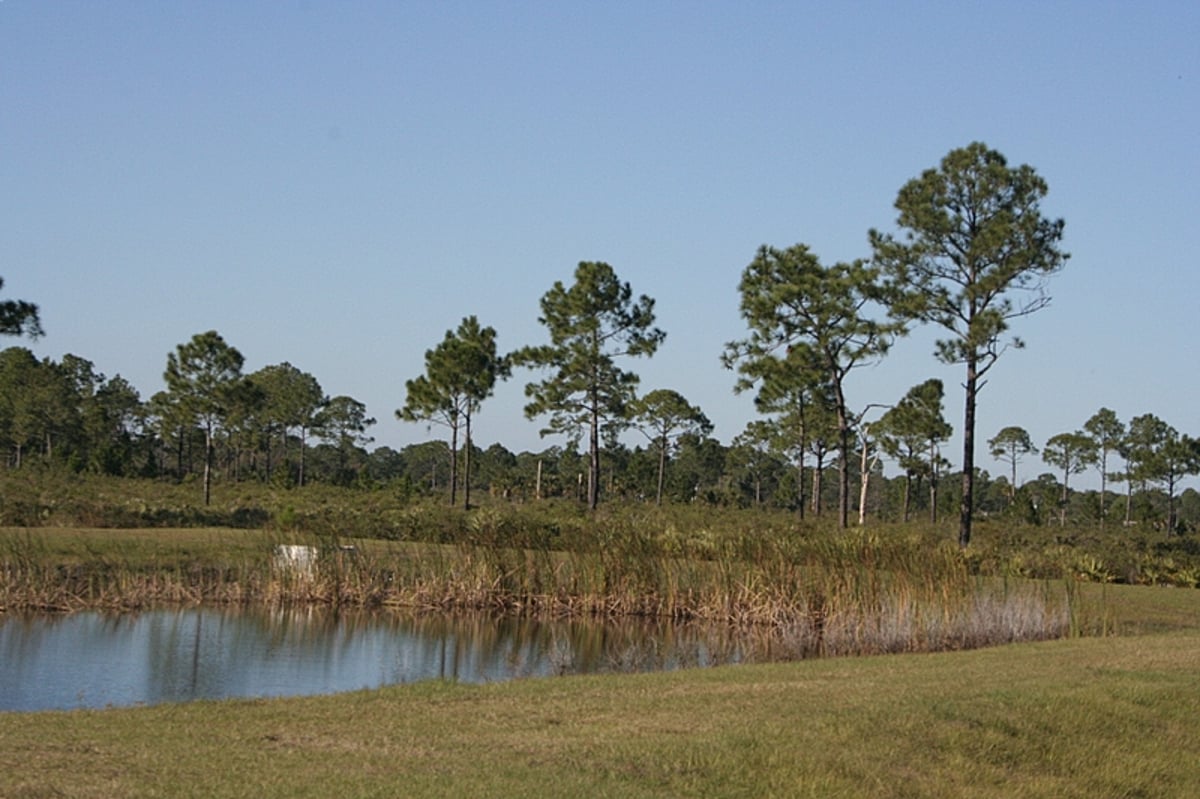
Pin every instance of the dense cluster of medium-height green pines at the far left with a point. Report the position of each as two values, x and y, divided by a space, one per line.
275 424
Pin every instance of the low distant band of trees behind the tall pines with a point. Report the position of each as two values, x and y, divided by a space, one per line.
279 431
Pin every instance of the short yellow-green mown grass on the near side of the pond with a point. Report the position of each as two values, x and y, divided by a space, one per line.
1115 717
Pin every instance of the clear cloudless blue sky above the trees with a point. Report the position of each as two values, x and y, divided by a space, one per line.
338 184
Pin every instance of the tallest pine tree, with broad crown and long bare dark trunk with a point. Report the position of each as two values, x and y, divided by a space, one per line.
976 255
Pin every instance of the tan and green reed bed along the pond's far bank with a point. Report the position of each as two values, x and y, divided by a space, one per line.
820 593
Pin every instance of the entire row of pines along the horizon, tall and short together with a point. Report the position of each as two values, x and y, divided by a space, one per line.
970 256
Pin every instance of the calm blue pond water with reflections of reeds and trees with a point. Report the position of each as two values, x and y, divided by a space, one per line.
95 660
